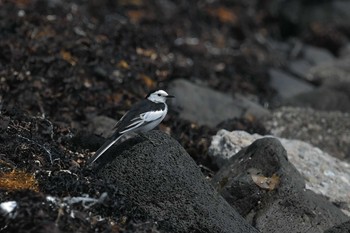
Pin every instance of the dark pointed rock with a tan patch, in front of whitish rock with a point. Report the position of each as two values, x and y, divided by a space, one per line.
267 189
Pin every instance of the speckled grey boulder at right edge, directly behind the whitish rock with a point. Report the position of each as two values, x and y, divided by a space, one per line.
326 130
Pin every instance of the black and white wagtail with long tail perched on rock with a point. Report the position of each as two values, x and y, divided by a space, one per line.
142 117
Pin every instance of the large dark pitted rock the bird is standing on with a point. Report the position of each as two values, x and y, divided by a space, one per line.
166 183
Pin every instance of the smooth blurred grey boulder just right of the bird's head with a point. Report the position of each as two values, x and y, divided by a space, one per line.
200 104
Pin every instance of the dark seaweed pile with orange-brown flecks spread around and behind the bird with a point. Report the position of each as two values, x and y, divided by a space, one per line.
64 62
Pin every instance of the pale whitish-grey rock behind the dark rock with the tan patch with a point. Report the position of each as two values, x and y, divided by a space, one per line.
323 174
